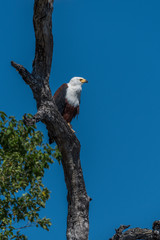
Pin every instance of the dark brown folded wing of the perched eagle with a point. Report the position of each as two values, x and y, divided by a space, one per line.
59 97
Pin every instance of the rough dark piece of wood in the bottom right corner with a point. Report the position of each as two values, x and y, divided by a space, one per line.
138 233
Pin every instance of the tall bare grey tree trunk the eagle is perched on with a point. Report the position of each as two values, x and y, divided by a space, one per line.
58 130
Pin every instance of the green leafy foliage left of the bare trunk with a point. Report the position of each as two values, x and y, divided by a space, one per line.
23 160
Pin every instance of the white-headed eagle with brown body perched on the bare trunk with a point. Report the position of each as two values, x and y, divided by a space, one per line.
67 98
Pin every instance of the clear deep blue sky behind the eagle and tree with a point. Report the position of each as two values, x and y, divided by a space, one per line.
115 45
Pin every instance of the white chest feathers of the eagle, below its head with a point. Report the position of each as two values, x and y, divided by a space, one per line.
73 95
